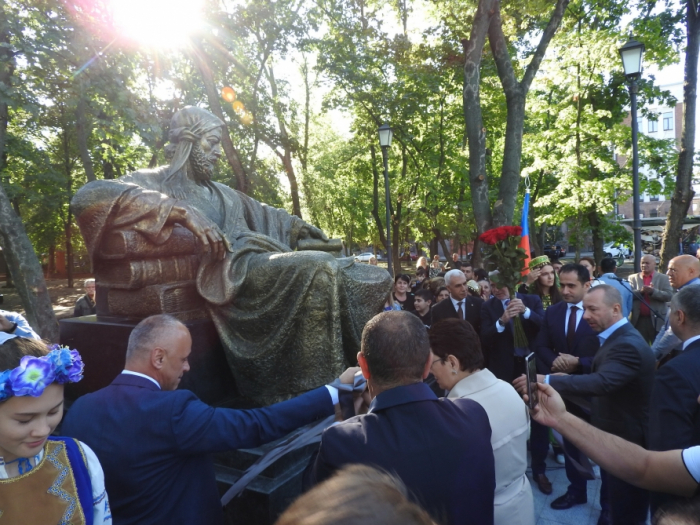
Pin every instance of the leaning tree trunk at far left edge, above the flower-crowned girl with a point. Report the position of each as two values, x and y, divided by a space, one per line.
22 262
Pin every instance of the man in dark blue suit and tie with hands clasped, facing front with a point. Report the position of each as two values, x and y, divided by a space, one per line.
567 344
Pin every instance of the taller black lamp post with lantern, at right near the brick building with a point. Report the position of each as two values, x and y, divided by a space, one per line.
632 53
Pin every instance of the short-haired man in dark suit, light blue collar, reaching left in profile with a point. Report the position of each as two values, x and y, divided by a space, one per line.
620 385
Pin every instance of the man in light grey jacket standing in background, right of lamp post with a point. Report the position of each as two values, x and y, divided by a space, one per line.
655 289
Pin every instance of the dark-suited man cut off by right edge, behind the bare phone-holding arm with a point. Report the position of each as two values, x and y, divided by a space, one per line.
674 414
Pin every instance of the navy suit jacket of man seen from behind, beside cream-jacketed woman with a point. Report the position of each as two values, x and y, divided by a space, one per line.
440 449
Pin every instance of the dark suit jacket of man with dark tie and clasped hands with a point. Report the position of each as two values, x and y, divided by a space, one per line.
551 340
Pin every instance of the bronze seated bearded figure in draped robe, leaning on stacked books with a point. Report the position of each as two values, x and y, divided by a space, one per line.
289 320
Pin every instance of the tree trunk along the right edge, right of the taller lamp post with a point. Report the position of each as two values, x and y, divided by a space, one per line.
683 194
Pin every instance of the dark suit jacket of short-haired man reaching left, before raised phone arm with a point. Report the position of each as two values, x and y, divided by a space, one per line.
620 383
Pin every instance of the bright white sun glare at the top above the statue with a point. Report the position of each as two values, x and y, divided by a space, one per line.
157 23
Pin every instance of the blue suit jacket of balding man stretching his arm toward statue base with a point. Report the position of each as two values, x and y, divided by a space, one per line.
155 446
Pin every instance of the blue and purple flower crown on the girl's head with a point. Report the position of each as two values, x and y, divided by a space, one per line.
61 365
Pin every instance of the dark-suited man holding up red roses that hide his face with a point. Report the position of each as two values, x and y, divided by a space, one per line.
497 337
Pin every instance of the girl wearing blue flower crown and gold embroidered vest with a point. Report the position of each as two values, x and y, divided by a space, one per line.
44 479
